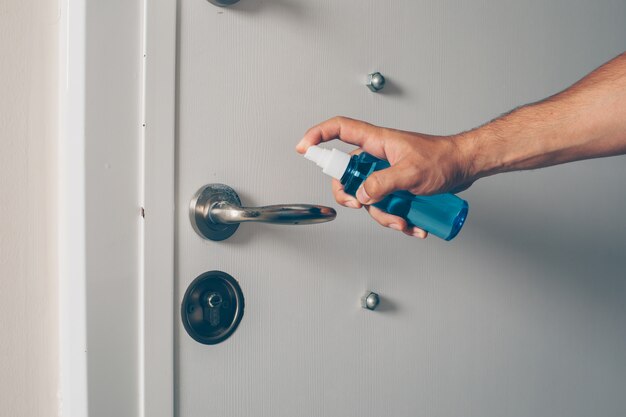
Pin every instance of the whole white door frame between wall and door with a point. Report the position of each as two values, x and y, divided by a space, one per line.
117 62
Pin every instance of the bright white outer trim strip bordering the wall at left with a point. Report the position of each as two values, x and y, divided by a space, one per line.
71 268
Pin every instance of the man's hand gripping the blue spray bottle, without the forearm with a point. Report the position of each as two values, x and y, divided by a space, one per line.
420 164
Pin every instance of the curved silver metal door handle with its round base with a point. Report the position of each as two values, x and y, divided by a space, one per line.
216 211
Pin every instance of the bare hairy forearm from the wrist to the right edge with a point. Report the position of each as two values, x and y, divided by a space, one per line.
588 120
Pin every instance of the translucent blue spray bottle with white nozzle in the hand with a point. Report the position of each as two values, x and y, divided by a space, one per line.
442 215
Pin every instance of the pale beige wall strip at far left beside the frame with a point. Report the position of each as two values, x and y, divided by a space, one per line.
28 282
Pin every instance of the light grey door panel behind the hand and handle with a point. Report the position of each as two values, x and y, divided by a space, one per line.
523 314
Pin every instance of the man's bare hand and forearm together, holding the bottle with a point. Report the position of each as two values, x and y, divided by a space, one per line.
587 120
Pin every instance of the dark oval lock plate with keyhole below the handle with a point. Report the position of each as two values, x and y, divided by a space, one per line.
212 307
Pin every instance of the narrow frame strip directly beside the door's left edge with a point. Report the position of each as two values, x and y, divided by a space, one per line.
159 106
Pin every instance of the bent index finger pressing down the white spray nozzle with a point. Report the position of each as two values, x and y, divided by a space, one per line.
362 134
